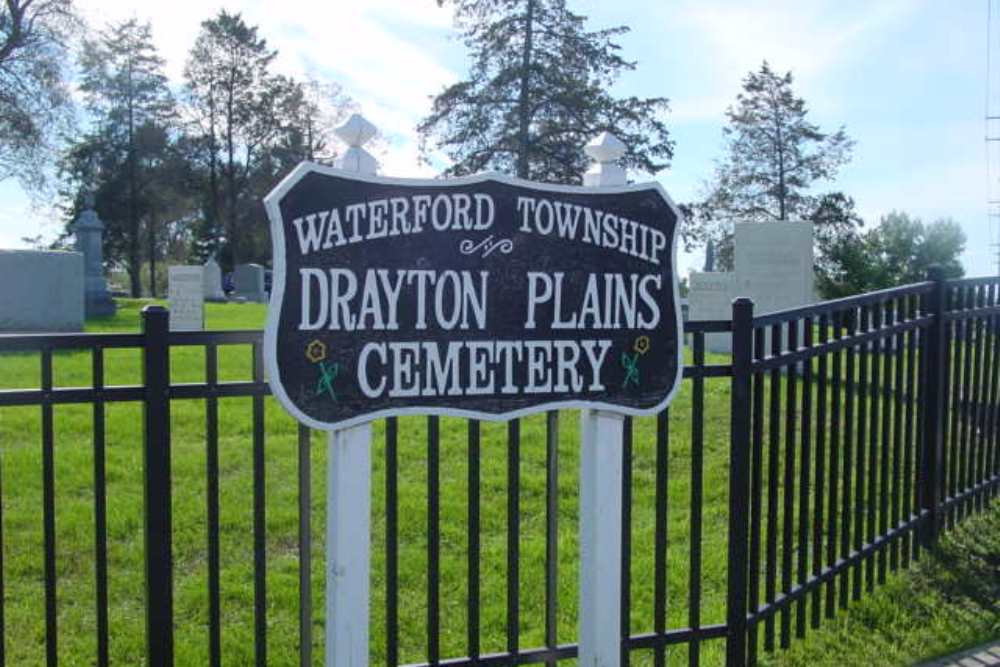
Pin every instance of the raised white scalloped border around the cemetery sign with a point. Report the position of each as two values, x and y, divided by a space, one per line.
271 203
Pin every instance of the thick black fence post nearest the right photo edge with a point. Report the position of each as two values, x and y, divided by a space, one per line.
933 354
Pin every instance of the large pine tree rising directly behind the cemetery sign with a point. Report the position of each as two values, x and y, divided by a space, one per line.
537 92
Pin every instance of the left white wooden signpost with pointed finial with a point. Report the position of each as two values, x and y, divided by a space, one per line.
348 491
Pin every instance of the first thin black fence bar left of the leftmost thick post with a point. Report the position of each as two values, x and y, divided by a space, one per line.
100 510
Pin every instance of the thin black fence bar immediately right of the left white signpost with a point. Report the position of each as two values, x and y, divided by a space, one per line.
392 541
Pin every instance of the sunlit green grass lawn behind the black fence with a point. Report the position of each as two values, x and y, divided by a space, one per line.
20 472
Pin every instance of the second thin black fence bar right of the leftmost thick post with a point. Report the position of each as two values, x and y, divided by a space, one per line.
259 523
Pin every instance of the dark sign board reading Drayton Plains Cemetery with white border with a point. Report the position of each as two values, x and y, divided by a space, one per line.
485 297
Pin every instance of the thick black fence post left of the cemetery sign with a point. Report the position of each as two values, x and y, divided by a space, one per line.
156 487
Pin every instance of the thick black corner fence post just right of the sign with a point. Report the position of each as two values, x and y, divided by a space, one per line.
739 482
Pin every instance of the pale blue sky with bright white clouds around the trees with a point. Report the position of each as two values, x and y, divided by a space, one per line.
907 78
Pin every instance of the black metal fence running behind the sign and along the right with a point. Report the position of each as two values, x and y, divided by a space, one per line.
781 484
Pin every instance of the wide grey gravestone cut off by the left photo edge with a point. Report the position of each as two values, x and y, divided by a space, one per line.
41 291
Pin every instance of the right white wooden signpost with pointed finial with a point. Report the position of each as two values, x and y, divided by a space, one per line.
601 484
